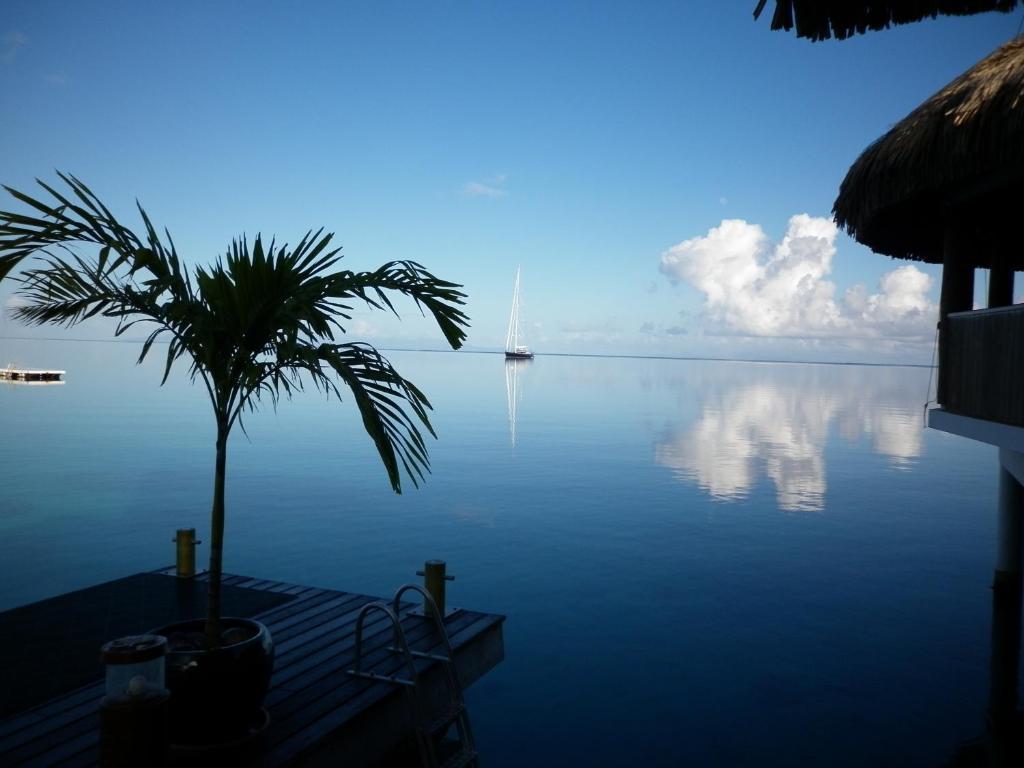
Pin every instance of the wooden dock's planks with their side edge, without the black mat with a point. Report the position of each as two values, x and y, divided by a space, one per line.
319 714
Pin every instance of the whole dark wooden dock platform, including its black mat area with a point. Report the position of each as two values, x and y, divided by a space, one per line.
319 714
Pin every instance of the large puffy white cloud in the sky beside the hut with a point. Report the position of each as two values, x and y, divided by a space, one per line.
755 288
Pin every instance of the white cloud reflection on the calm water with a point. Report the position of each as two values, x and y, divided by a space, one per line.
780 424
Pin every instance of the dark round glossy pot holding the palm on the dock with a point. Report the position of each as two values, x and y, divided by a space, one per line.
218 696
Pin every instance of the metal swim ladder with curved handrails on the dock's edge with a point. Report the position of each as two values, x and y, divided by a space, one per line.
430 736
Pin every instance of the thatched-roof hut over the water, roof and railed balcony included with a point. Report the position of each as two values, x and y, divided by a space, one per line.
947 186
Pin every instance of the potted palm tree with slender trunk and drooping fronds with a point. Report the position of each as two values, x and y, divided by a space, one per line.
259 325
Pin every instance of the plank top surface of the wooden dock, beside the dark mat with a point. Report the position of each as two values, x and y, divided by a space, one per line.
312 696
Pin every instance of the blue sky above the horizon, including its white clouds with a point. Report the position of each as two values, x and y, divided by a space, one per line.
602 146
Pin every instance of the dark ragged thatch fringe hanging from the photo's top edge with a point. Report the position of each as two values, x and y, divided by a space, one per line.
821 20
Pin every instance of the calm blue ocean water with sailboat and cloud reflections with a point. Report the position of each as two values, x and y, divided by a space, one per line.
702 563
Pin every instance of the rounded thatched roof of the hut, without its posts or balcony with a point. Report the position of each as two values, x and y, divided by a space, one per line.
959 156
